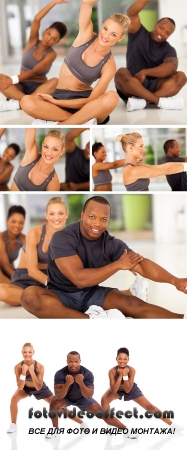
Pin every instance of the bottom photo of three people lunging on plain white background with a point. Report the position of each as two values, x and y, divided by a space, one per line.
155 358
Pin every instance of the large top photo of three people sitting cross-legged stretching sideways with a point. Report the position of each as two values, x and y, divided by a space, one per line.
118 62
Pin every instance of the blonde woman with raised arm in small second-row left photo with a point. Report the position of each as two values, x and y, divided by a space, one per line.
36 171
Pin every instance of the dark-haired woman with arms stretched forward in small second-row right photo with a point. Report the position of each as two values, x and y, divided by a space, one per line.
102 177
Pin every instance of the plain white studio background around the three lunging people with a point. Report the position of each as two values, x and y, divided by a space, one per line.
156 352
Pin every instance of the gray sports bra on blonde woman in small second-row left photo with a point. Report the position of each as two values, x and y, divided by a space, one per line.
24 184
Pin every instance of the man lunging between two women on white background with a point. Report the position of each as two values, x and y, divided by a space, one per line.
74 385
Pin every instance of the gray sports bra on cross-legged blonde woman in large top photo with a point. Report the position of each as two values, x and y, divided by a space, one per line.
78 68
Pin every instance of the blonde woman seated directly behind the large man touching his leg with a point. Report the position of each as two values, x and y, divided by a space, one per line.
32 268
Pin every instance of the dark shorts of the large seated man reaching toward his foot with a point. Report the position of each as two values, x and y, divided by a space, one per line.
81 300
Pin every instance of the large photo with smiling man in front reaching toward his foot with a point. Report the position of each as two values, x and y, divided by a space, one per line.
143 235
